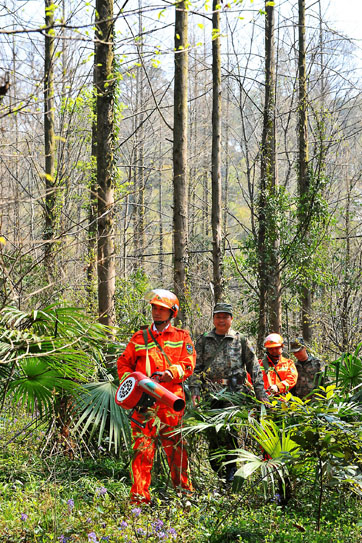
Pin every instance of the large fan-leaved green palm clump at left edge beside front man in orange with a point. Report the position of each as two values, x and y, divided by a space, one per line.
55 353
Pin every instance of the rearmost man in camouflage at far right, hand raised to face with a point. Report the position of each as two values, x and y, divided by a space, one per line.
310 370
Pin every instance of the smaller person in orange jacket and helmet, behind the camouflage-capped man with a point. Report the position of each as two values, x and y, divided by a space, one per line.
279 373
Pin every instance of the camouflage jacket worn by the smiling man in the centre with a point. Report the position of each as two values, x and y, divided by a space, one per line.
215 363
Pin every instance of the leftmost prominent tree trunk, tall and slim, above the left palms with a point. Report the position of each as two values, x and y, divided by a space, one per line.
49 138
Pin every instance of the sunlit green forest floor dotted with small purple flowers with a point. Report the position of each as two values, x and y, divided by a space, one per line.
55 498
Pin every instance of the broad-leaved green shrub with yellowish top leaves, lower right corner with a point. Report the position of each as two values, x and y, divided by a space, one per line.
328 432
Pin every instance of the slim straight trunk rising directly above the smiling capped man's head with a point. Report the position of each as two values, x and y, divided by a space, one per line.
215 155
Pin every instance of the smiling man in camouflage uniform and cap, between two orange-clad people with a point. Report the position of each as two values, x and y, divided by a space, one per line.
224 357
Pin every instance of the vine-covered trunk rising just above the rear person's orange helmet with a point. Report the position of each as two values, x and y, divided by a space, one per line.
270 312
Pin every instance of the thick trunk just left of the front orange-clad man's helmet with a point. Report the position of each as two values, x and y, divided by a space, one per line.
105 181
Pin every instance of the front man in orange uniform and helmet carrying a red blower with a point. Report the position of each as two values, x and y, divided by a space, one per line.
170 352
